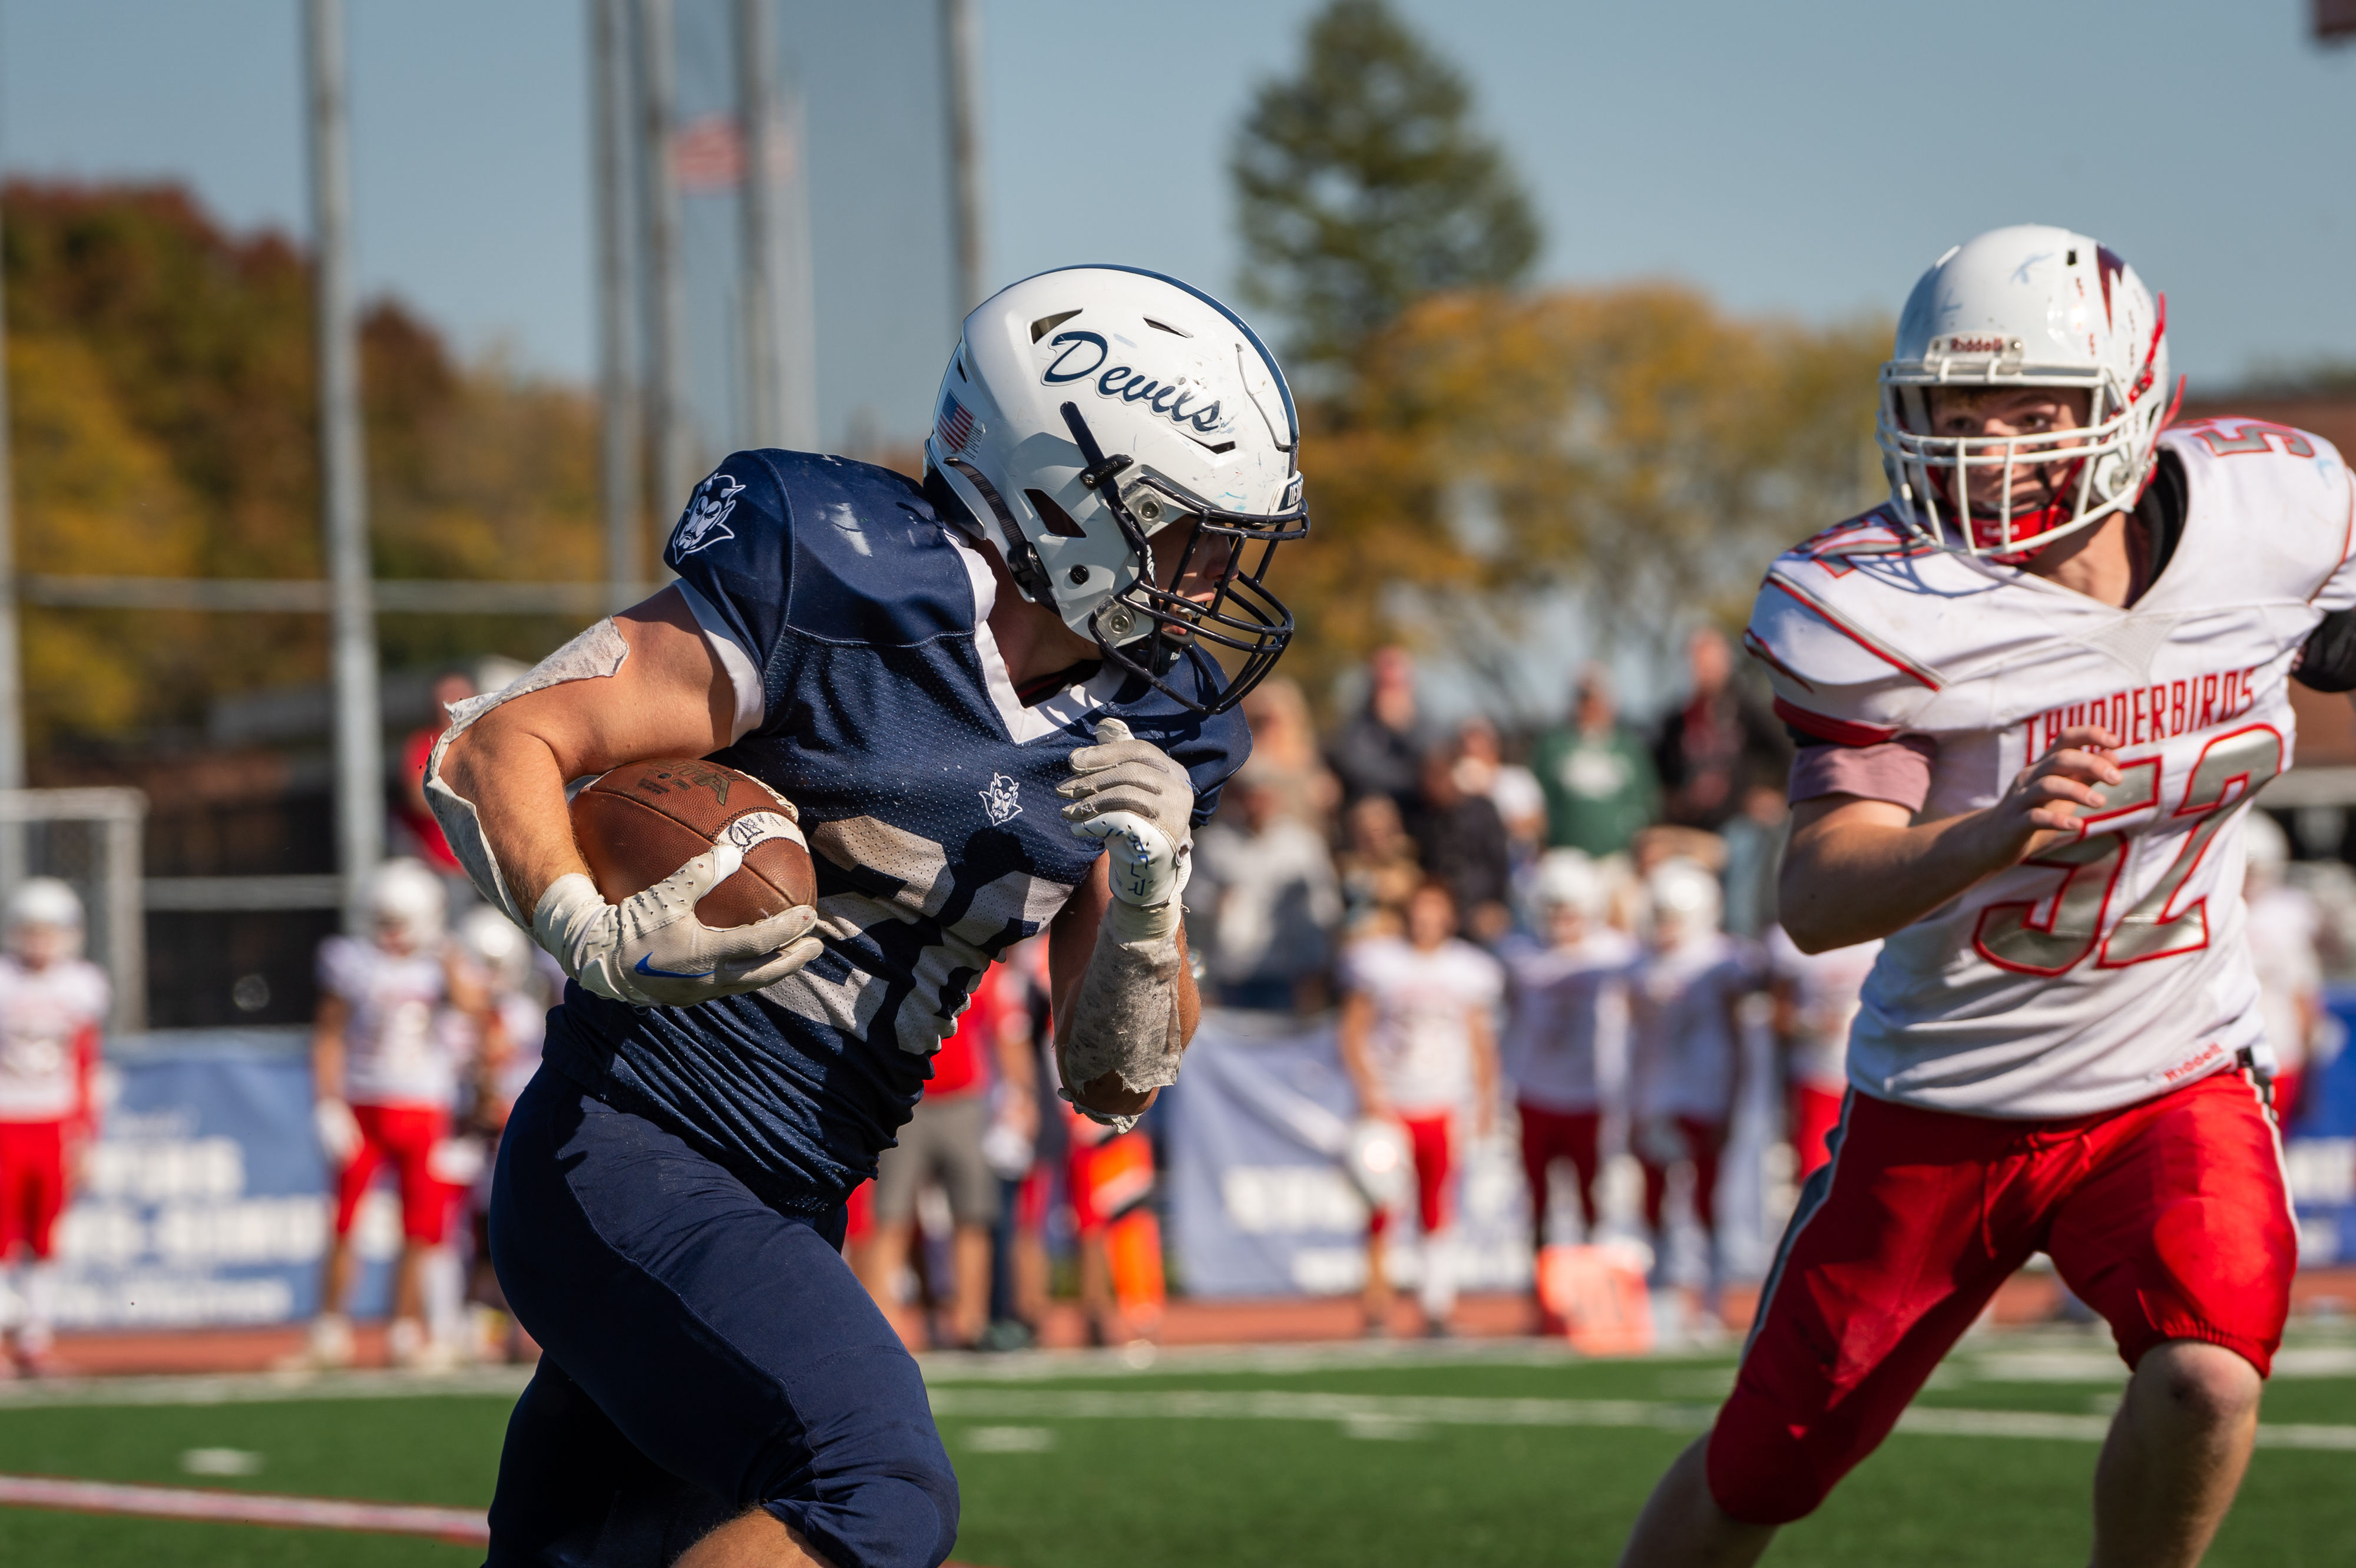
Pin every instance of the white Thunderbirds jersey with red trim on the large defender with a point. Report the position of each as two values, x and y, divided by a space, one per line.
2112 966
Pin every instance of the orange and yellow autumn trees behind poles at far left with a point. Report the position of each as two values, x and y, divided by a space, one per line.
164 418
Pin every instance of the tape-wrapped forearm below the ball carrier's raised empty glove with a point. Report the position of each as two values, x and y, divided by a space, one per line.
1127 1021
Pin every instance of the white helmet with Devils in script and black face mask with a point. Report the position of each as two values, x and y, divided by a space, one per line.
1090 408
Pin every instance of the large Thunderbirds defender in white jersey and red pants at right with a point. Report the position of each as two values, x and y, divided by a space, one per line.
2041 684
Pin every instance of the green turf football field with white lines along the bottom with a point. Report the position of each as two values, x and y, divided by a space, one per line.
1290 1459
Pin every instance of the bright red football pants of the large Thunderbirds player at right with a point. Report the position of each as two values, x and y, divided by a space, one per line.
2169 1218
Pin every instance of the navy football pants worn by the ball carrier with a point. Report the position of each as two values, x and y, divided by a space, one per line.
706 1355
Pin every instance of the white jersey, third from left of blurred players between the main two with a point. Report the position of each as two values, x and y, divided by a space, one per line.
1683 1035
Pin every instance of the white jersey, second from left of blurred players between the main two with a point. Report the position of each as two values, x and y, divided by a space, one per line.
1568 1035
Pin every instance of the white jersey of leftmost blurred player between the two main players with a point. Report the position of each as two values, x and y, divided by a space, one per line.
1422 1039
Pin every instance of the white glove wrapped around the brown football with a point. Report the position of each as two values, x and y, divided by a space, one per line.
651 950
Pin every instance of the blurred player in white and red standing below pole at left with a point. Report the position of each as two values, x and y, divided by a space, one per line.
388 1077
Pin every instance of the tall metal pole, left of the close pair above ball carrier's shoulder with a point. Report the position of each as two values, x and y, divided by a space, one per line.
621 479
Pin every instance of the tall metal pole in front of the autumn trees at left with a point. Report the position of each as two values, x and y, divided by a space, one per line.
352 618
